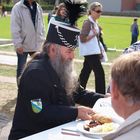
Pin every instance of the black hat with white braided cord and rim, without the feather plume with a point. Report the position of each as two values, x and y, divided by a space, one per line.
62 34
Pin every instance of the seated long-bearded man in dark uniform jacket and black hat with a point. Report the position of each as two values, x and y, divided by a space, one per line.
49 89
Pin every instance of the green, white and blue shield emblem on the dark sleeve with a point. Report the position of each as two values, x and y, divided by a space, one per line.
36 105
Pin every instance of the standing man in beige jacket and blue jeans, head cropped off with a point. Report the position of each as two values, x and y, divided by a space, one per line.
28 31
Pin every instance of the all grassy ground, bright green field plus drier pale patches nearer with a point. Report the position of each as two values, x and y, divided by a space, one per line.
116 35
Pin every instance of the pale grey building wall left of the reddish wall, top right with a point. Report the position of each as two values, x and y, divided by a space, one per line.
110 5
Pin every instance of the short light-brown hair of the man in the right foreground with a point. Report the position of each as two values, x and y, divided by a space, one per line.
126 74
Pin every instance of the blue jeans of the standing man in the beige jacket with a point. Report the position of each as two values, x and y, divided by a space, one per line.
21 61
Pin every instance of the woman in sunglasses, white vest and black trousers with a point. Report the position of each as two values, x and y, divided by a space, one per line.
90 32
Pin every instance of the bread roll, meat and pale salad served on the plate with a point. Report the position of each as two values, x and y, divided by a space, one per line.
100 124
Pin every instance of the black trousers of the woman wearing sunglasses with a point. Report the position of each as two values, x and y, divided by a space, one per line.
92 62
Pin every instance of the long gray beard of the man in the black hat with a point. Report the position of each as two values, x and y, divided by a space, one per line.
66 73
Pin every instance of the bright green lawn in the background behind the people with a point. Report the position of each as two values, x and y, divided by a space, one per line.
116 29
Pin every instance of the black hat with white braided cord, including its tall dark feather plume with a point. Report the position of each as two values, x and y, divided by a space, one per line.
63 33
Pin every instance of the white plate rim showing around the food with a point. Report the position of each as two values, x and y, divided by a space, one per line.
92 134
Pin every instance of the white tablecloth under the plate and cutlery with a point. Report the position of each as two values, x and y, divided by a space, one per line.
102 106
